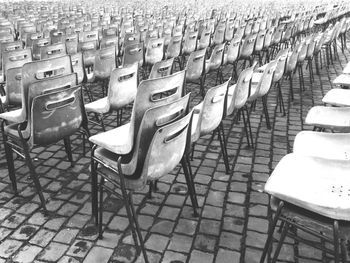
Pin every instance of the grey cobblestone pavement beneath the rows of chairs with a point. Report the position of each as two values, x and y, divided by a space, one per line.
232 224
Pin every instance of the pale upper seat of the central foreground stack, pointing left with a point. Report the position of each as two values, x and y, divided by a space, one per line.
118 140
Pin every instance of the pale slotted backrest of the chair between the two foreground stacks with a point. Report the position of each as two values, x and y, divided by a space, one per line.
122 87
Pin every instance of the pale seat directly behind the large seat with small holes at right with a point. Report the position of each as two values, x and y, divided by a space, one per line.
322 144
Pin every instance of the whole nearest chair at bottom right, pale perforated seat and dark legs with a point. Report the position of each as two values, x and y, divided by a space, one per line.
313 190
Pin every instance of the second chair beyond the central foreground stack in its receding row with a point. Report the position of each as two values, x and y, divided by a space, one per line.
237 96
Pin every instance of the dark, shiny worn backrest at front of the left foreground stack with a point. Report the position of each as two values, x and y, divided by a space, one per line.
56 115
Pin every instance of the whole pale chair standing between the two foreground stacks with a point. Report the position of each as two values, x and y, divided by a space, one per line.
121 92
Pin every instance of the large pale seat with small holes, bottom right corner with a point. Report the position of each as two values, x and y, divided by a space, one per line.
316 184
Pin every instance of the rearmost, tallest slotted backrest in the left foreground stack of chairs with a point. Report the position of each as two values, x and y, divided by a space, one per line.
42 70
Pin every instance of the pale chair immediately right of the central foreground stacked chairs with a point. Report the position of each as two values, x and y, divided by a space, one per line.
207 118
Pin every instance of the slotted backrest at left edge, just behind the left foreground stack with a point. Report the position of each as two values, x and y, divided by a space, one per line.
15 58
